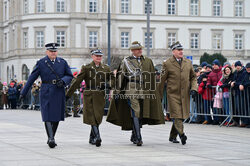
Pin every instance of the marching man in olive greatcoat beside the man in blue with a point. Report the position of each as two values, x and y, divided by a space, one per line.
96 76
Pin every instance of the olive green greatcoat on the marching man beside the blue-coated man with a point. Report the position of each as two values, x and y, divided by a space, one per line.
93 100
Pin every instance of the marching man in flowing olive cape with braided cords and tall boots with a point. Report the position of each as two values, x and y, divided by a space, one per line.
136 102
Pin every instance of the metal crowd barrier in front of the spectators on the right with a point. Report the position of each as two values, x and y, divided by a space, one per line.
234 104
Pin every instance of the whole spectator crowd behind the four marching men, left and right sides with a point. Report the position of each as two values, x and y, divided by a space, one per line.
224 91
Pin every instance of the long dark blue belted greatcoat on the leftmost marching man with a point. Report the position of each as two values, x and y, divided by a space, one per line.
52 98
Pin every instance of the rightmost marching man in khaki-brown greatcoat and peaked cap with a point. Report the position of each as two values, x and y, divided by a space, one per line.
181 82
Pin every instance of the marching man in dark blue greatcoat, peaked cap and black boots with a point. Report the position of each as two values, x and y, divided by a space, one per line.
55 75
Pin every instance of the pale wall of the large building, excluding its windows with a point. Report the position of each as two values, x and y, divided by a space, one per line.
77 22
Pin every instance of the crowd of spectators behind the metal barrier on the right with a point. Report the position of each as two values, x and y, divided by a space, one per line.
224 90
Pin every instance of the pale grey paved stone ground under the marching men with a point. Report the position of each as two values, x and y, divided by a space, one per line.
23 143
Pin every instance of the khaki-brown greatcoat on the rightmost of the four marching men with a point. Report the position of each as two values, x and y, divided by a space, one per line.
180 80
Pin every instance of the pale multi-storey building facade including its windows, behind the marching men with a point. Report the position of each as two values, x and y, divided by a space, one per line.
210 26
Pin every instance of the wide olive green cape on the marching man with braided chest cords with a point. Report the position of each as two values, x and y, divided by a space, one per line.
151 112
